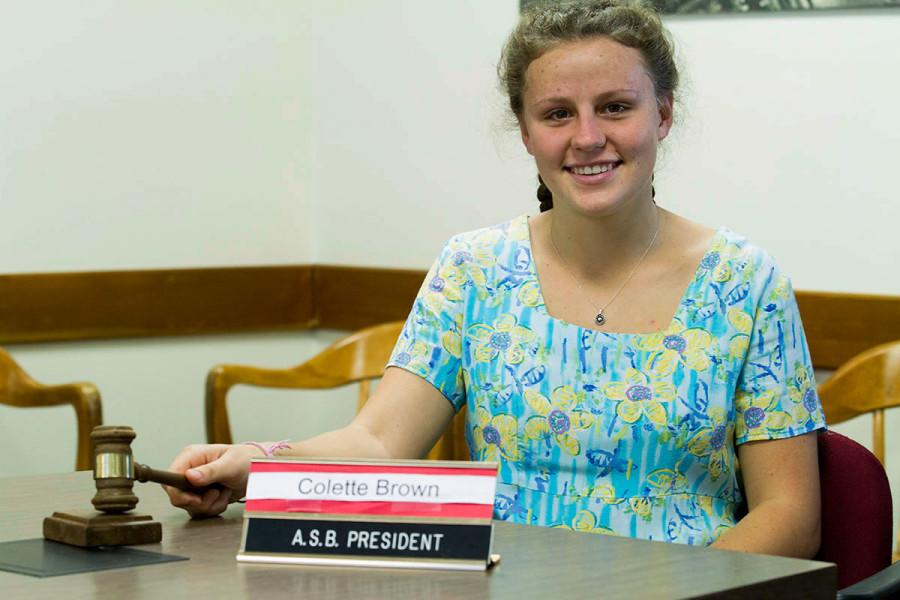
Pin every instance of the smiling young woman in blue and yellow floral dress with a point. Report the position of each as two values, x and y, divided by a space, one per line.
634 373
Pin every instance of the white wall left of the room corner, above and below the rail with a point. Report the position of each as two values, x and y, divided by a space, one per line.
148 135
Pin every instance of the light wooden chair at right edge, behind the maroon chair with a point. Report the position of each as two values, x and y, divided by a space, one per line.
867 383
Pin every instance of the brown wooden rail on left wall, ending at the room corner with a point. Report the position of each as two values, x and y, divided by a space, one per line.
166 302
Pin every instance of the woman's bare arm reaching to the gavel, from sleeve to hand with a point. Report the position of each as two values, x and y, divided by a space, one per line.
403 419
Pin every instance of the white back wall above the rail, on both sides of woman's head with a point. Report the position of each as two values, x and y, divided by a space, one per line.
786 134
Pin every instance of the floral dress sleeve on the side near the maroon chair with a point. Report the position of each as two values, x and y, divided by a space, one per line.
776 392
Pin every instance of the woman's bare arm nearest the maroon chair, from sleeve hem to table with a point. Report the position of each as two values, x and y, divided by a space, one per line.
781 483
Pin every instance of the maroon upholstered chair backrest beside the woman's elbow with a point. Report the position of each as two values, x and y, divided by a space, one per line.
856 509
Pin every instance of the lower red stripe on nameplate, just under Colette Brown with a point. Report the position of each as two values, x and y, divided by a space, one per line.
399 509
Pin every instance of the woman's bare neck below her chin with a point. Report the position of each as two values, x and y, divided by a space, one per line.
603 247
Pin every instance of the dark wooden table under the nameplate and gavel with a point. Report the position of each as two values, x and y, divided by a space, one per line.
537 562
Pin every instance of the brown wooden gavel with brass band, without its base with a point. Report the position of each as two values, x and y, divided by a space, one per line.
115 471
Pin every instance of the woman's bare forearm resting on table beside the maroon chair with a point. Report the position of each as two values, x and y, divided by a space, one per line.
776 527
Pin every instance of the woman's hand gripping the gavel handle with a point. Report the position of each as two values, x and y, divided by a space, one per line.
205 464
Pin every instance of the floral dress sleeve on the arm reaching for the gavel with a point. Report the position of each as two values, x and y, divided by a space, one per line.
430 344
